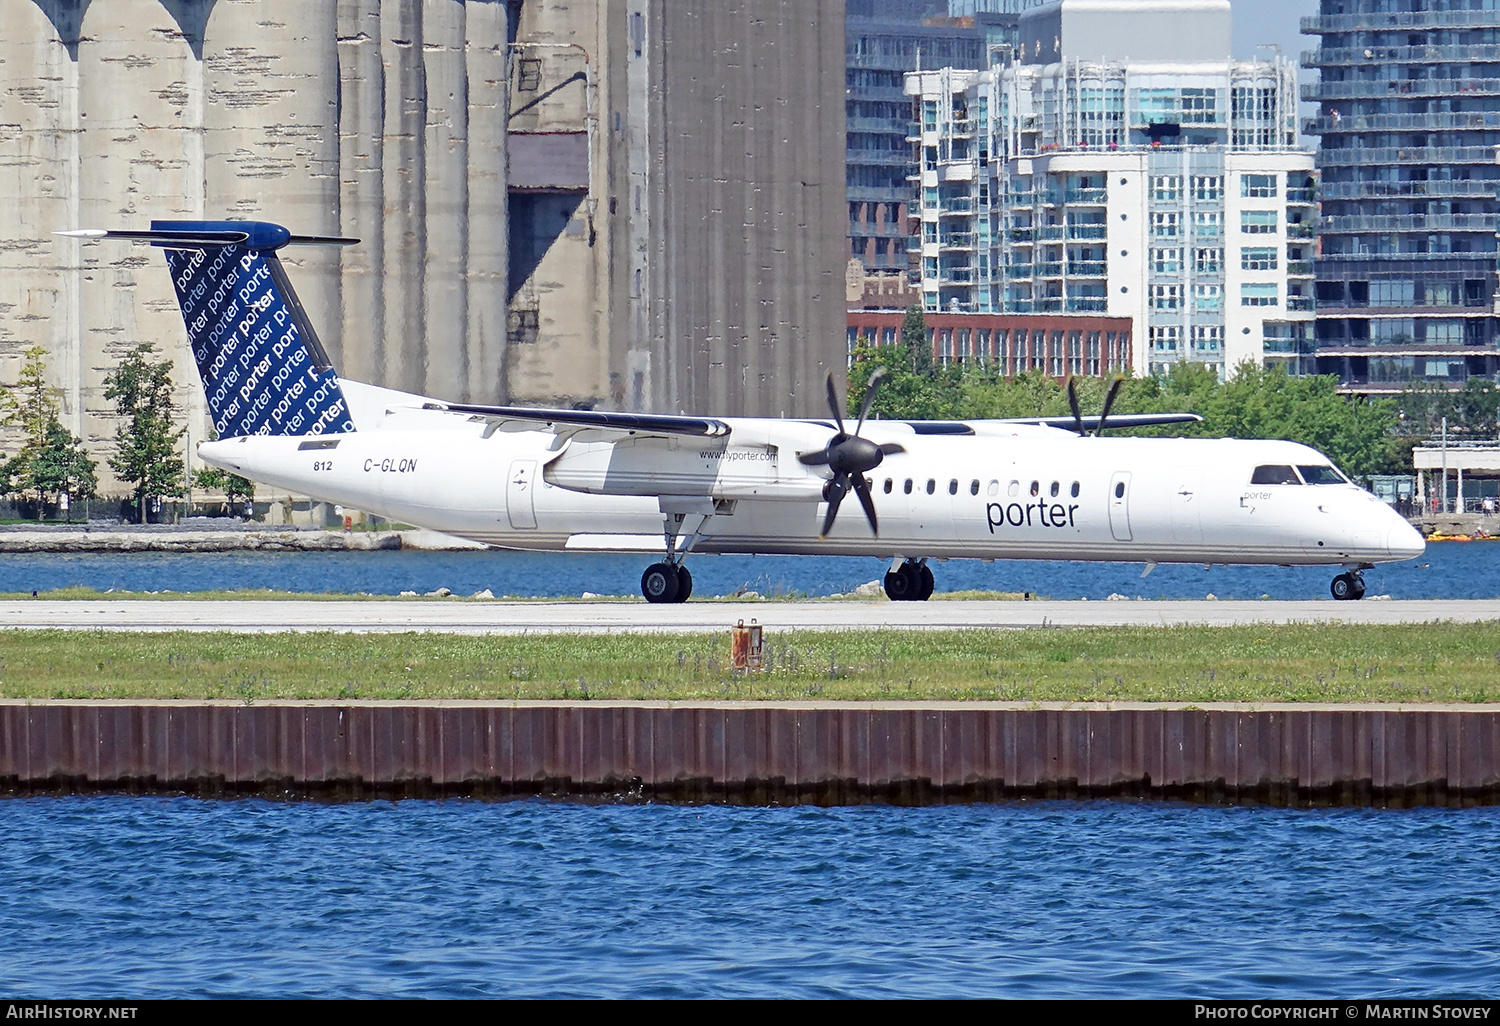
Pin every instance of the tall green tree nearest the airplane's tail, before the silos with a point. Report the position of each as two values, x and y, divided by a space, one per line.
146 442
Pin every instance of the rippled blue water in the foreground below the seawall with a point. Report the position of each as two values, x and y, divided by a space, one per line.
173 898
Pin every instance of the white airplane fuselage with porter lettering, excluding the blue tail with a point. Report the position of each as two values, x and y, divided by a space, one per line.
1025 494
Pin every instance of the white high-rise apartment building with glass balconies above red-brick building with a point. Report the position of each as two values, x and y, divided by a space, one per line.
1123 164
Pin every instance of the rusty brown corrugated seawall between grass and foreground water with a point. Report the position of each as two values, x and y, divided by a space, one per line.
757 754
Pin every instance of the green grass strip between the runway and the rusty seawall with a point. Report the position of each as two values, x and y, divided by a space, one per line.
1258 664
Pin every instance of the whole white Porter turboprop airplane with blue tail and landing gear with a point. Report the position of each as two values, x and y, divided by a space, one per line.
586 481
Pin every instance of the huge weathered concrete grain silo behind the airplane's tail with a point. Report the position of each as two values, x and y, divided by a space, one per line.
695 152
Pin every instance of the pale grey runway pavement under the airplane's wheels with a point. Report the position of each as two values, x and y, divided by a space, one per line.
698 617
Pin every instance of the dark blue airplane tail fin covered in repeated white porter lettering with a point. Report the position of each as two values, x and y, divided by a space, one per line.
262 365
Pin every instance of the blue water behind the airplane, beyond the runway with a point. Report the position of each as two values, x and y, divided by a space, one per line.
1448 571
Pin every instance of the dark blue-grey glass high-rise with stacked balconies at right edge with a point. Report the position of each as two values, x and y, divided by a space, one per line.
1409 95
